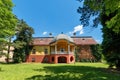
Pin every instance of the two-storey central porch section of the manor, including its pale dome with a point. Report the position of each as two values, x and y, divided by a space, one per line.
62 49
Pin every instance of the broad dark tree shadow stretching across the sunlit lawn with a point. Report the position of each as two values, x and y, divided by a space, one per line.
73 73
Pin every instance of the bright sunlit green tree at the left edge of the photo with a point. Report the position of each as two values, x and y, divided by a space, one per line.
7 24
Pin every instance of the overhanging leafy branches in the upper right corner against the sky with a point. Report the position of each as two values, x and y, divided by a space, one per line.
96 8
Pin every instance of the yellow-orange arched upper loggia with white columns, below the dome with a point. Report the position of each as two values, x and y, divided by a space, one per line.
62 47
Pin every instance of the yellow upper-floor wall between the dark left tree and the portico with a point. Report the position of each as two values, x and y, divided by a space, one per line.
40 50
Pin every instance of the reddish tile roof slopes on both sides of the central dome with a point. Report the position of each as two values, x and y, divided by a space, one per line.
77 40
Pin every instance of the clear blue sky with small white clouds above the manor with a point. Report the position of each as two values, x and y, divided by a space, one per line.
53 16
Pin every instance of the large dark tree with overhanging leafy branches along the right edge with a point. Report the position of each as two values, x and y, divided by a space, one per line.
106 13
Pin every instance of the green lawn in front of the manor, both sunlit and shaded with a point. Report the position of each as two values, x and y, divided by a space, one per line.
37 71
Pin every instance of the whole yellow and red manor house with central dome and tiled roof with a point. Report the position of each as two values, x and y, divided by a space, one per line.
60 49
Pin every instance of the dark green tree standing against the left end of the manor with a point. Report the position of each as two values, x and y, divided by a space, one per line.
22 41
